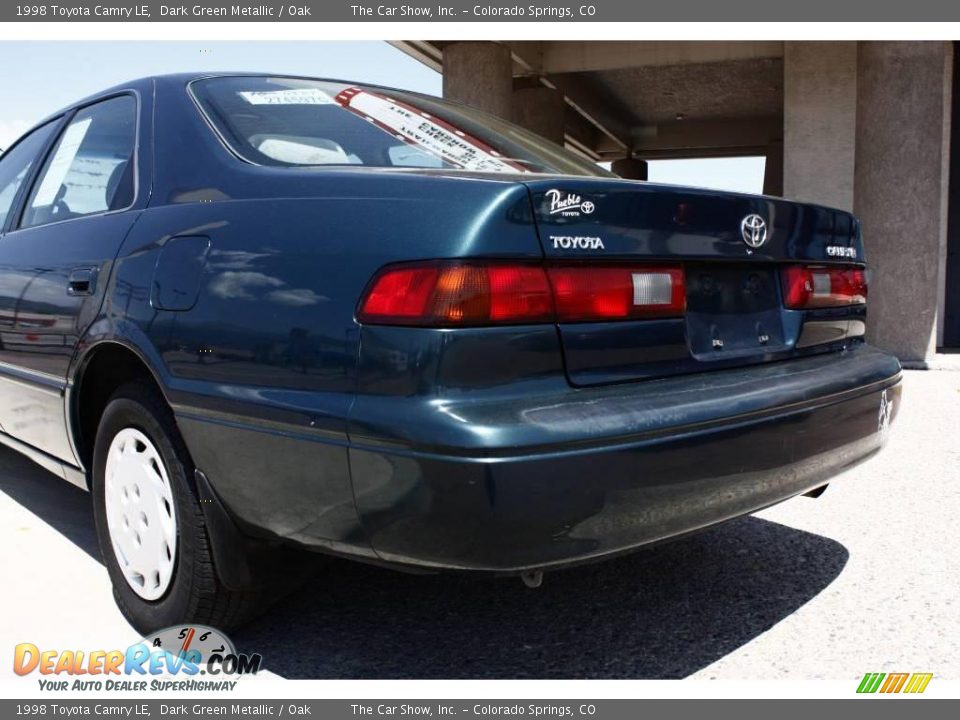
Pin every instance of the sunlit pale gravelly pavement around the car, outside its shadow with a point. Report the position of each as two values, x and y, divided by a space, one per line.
864 578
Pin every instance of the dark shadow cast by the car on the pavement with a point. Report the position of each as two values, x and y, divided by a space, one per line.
663 612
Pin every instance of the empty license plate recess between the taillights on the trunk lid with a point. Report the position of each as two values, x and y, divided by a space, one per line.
733 311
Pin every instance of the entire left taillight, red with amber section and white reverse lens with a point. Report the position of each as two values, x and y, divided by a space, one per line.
465 294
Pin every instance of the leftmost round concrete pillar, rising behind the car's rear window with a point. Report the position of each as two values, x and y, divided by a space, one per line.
479 74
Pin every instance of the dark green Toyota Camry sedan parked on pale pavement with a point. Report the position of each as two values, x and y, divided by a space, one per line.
252 312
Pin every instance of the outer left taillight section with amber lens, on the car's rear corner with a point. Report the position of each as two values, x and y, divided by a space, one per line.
450 295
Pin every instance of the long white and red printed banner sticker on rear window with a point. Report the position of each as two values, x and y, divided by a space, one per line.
418 128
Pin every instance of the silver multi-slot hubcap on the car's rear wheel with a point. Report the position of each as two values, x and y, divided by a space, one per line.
140 515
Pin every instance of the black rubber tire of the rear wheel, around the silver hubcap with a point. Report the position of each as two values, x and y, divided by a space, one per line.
195 593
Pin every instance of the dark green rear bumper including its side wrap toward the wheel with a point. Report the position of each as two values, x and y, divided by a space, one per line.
549 475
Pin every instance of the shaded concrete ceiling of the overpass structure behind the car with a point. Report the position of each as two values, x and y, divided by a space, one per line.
624 98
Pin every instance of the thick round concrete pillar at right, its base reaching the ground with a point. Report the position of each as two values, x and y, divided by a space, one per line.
902 142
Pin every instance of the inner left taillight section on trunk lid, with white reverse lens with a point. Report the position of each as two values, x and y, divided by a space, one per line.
586 293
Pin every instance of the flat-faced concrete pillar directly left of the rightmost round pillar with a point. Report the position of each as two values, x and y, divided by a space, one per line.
819 122
